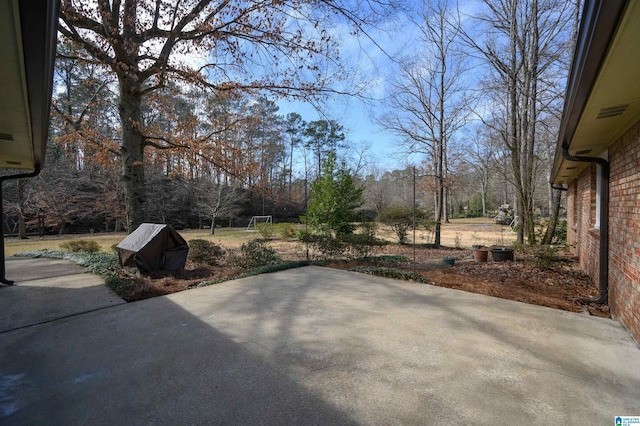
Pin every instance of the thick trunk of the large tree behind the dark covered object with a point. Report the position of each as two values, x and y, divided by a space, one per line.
132 149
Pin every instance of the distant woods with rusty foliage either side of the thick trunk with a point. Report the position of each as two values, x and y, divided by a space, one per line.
251 163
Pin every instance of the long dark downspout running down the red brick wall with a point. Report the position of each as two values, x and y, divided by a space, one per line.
603 258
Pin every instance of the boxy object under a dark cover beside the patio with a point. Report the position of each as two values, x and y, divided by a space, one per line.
153 247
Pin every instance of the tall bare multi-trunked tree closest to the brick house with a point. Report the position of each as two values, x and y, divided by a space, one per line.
522 41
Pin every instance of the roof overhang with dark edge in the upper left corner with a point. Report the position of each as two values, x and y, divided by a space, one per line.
27 52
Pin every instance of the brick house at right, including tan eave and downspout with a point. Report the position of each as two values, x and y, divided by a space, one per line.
598 155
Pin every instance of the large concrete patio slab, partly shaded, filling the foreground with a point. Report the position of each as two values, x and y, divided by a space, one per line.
319 346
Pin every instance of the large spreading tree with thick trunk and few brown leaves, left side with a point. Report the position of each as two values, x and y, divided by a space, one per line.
281 46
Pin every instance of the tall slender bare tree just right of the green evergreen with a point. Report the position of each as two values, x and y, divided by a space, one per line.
428 102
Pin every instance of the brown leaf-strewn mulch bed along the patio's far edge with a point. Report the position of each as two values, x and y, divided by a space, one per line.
562 286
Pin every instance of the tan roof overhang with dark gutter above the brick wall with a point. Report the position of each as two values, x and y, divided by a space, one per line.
603 92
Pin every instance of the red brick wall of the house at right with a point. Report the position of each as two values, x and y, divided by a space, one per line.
624 228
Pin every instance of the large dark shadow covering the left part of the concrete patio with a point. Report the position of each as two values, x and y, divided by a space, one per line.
149 362
